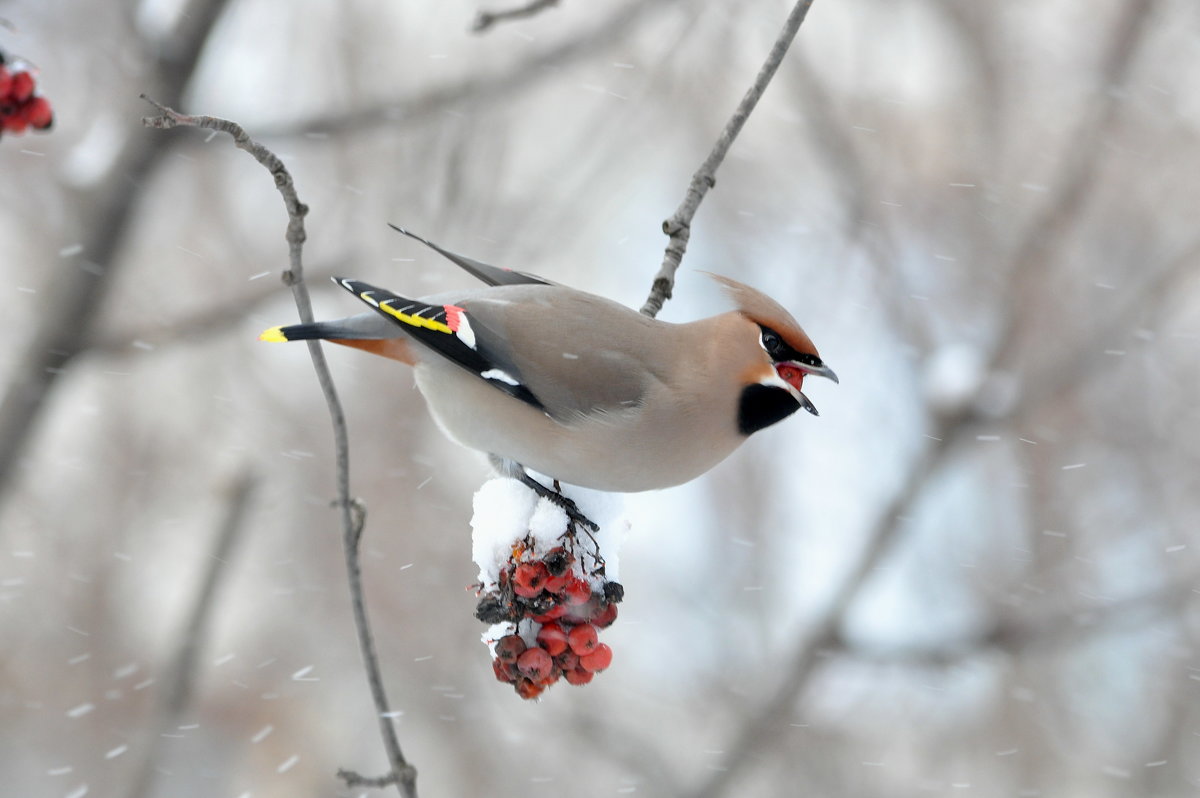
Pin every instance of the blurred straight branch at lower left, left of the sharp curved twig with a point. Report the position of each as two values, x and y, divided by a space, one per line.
182 676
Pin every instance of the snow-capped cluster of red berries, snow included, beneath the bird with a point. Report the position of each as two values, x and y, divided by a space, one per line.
547 587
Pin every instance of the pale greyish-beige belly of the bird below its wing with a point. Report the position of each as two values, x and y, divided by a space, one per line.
628 454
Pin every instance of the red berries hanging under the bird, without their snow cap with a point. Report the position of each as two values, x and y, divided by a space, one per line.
561 614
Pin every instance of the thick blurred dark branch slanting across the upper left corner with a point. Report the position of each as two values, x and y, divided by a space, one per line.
77 290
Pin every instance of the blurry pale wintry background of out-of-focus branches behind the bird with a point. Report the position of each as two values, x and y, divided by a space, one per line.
973 575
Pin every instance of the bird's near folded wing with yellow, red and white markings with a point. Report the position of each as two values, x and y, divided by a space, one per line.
537 344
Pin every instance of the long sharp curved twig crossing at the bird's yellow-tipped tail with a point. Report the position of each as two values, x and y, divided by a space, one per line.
401 772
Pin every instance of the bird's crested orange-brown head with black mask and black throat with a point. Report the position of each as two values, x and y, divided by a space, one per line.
772 385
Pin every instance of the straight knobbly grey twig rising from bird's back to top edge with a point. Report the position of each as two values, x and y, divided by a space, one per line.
679 227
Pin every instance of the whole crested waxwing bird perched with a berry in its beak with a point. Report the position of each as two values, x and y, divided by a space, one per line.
578 387
